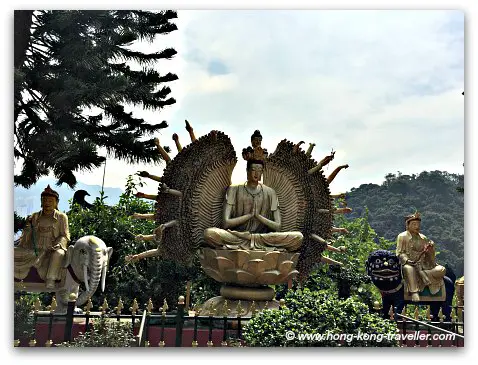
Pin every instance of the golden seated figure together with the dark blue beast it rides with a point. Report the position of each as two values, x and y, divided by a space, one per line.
412 275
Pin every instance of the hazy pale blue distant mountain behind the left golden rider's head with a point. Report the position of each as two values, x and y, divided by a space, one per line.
27 201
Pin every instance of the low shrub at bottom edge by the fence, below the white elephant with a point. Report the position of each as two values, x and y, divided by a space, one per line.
104 332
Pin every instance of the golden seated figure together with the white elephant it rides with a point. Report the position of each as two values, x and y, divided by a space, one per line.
43 261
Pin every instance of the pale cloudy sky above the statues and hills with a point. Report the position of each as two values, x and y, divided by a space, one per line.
381 88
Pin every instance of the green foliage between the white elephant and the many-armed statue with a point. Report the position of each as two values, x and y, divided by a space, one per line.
151 278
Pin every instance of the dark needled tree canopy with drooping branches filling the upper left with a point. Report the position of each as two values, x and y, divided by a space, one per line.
70 62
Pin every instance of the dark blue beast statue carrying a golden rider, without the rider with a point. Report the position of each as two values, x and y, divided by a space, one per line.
384 269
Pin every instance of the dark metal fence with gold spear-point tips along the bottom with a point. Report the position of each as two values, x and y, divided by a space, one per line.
185 328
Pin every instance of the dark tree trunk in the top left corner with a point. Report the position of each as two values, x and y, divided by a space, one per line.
22 23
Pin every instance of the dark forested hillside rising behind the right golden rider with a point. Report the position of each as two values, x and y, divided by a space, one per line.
433 194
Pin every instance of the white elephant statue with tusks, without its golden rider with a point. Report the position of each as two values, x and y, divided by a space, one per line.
86 261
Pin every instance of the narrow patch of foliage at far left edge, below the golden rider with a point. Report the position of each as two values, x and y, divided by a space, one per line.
23 322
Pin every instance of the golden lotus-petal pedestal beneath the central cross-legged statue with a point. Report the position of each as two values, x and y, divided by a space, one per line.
246 276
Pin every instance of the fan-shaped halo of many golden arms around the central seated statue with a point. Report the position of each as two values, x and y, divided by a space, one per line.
192 192
